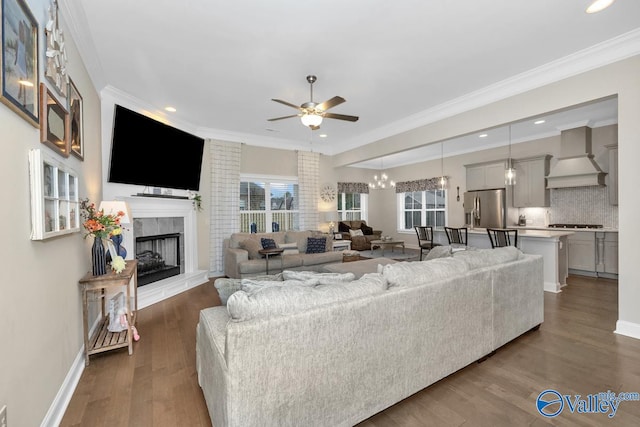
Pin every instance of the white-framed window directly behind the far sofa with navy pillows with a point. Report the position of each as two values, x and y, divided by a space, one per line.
268 204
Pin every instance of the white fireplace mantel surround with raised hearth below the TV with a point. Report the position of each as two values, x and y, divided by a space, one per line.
157 207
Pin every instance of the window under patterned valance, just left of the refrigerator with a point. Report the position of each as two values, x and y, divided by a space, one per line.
427 207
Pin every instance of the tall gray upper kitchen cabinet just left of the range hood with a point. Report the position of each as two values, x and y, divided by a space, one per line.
530 189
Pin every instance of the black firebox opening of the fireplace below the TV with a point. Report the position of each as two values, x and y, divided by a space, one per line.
158 257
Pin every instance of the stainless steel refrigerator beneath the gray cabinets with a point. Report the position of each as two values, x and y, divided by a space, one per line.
485 208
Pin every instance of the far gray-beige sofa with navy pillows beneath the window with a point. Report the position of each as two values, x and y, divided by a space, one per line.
240 262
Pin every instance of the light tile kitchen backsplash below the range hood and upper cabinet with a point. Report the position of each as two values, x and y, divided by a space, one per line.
581 205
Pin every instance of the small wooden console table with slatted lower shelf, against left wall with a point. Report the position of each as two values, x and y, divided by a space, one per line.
102 339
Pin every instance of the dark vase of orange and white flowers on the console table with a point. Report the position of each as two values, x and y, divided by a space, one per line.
102 227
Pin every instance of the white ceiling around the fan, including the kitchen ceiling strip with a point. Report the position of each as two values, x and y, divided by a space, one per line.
219 63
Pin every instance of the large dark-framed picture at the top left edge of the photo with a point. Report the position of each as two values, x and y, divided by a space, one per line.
19 81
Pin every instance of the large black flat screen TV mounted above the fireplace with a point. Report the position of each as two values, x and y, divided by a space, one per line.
147 152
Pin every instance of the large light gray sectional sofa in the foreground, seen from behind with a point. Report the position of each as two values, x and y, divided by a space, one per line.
322 352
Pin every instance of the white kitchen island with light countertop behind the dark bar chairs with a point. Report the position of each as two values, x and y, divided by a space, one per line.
551 244
